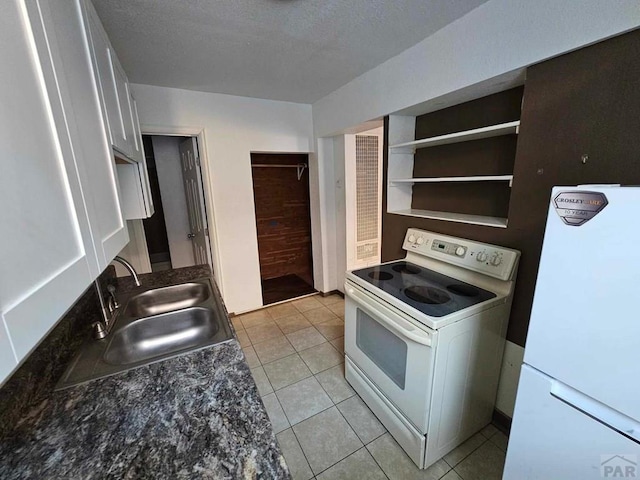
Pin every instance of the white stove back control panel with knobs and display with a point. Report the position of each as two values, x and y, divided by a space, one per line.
489 259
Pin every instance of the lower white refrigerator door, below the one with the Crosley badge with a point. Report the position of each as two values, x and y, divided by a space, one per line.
551 438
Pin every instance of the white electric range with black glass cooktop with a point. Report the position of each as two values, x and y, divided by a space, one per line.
424 338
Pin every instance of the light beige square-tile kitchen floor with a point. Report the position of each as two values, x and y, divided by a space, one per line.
295 352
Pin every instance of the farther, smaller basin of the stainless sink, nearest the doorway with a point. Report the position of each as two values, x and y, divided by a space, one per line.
167 299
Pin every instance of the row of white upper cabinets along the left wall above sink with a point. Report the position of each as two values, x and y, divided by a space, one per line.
63 219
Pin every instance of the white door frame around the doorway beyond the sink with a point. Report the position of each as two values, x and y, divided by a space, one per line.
205 170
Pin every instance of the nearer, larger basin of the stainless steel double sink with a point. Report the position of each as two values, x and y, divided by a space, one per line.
160 335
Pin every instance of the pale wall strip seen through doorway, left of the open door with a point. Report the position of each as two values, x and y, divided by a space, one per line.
167 155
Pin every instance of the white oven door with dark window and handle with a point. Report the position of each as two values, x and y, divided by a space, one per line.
392 351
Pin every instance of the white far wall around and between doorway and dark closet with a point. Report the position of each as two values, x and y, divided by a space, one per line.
233 127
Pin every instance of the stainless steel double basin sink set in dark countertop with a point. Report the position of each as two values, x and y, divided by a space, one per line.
154 324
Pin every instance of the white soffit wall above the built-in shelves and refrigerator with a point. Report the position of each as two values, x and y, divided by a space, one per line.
499 37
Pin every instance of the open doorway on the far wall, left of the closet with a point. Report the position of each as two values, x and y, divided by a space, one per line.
177 234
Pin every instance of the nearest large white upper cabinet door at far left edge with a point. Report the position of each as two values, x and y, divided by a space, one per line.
47 256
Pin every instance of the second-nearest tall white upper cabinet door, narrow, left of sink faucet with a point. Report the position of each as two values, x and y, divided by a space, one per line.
68 47
